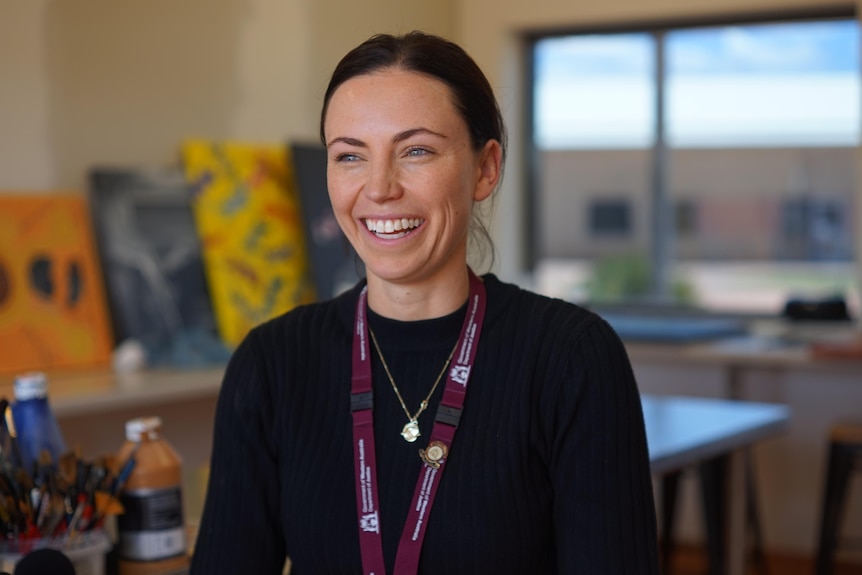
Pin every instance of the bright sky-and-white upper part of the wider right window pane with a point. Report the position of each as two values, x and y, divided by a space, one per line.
788 84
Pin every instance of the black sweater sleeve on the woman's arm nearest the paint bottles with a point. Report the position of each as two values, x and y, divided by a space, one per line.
240 530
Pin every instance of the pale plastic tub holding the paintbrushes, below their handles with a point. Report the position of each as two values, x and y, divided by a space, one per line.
86 551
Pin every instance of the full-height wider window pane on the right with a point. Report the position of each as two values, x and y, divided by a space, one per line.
763 122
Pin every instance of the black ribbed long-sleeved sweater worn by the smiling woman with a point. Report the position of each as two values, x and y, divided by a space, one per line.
548 471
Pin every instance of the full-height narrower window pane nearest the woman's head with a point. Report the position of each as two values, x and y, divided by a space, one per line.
594 127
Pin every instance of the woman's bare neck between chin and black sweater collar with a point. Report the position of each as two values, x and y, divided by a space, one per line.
417 302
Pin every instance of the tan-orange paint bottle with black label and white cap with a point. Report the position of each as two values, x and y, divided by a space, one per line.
151 531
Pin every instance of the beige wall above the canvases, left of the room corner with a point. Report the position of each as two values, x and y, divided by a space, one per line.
99 82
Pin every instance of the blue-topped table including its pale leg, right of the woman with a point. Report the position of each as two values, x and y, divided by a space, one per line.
685 431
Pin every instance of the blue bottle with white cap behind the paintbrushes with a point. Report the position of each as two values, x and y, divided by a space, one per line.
35 425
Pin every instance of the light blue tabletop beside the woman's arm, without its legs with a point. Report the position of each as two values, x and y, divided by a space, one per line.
684 430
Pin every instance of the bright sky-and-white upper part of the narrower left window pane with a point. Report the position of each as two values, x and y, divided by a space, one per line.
594 91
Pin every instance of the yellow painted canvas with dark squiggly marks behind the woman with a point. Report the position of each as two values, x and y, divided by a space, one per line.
248 218
